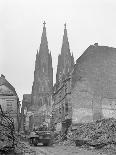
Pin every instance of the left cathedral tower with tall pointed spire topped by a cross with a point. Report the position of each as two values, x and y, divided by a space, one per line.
43 74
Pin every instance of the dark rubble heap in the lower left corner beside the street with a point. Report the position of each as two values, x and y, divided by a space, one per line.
9 139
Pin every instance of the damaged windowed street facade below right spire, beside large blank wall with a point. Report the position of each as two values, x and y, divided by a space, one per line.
61 109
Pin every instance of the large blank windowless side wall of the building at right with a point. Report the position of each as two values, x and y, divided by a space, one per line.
93 84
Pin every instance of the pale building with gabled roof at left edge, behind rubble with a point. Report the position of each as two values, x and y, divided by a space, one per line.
9 101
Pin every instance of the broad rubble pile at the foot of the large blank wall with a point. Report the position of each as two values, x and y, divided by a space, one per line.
96 134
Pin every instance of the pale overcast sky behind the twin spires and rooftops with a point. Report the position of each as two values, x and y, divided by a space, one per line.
21 25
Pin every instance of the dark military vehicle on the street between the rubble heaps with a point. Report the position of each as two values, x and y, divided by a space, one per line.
41 135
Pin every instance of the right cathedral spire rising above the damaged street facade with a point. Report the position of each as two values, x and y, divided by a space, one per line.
65 59
